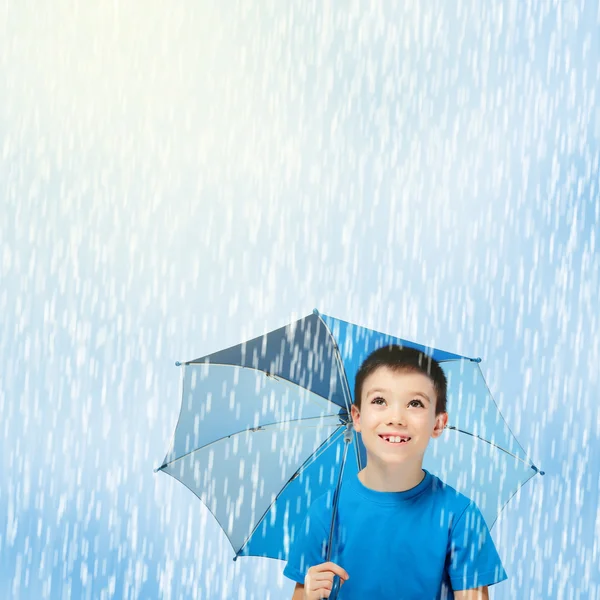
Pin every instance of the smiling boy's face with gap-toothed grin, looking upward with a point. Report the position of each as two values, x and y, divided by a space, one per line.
397 404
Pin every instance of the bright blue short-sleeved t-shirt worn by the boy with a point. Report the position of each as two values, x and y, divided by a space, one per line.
419 544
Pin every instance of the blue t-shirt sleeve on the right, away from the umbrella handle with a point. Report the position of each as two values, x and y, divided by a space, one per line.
473 560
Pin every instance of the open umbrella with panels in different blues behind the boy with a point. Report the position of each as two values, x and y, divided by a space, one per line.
265 428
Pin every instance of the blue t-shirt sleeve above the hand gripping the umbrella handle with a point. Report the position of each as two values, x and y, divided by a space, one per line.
308 546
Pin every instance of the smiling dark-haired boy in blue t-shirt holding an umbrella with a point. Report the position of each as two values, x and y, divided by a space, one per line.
400 533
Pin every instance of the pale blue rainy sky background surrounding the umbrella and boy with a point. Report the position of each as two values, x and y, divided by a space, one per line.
177 178
